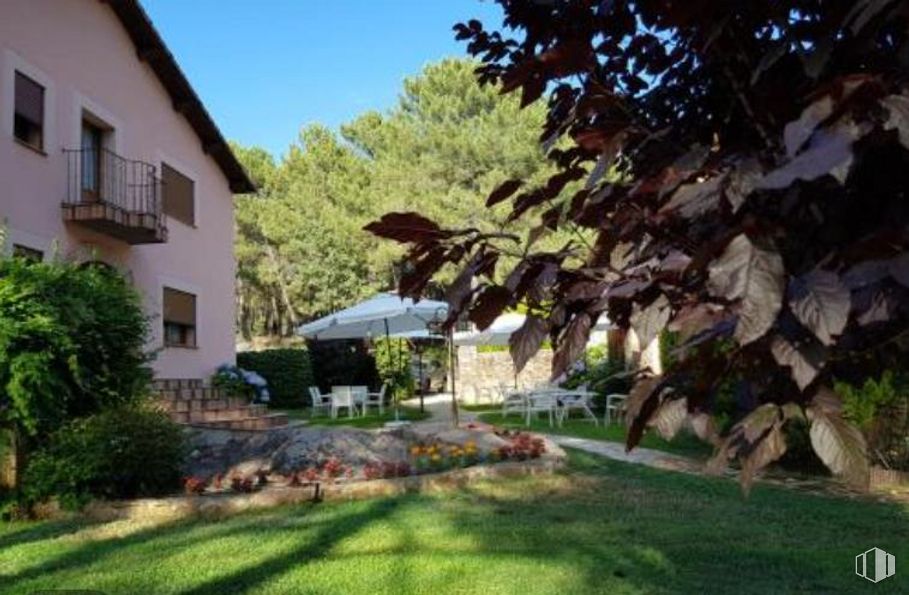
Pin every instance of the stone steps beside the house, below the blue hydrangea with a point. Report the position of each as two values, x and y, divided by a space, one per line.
190 402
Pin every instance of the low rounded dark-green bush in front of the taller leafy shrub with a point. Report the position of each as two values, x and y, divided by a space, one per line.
124 452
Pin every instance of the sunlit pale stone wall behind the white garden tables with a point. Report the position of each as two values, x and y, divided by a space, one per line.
481 374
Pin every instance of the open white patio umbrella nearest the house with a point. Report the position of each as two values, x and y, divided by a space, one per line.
384 314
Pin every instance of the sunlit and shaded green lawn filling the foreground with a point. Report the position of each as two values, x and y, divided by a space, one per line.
602 527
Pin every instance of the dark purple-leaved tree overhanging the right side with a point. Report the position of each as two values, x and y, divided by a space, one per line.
736 172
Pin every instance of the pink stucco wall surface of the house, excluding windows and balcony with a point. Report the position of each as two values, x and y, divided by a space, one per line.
79 51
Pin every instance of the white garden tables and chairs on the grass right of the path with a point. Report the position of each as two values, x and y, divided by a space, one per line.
558 404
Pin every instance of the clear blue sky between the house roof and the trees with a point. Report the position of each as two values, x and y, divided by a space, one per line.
264 68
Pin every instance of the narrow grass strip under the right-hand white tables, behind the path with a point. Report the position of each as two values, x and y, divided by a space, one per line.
683 444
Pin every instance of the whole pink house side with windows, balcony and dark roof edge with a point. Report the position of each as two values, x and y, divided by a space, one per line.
107 154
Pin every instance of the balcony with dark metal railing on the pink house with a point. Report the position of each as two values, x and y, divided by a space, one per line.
115 196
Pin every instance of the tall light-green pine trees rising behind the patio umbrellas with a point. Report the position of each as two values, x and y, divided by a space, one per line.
447 143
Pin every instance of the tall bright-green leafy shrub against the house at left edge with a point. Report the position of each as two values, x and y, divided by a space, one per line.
72 340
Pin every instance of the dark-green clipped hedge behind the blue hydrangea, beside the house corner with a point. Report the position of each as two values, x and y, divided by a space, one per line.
288 372
